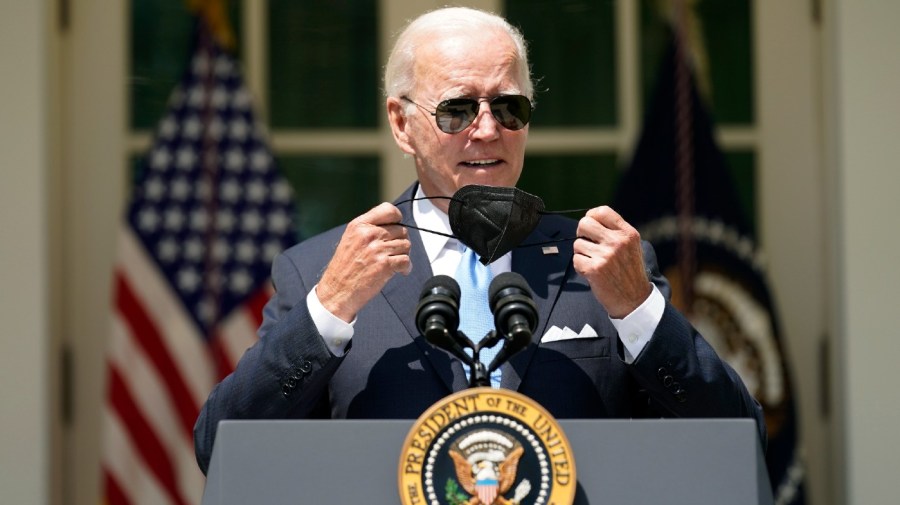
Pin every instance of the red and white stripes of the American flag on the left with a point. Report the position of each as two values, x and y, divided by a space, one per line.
154 398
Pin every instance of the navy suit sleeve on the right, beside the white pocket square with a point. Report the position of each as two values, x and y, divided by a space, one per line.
681 372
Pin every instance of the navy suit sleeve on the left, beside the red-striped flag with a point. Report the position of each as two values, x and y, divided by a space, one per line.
285 375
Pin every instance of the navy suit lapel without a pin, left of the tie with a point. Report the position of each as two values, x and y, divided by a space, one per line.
402 294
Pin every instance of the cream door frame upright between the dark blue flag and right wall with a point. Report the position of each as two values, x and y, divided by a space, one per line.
791 213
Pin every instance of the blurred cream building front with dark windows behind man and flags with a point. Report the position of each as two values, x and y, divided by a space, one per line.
800 92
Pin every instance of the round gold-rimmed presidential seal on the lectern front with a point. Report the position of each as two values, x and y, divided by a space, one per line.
486 446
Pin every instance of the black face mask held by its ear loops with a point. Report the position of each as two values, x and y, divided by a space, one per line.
493 220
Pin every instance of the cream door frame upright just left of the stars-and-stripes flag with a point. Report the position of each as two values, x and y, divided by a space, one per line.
94 180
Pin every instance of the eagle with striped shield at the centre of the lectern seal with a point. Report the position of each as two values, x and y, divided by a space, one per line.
486 462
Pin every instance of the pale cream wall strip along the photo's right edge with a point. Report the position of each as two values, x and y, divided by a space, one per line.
863 141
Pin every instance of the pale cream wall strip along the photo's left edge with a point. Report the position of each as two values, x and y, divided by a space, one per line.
24 341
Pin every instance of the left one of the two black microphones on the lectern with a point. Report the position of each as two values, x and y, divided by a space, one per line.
437 315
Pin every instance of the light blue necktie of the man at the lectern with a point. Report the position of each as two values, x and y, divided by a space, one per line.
475 317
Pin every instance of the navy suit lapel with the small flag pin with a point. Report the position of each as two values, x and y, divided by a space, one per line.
545 273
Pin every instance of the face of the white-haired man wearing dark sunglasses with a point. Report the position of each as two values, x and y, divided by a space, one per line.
472 65
